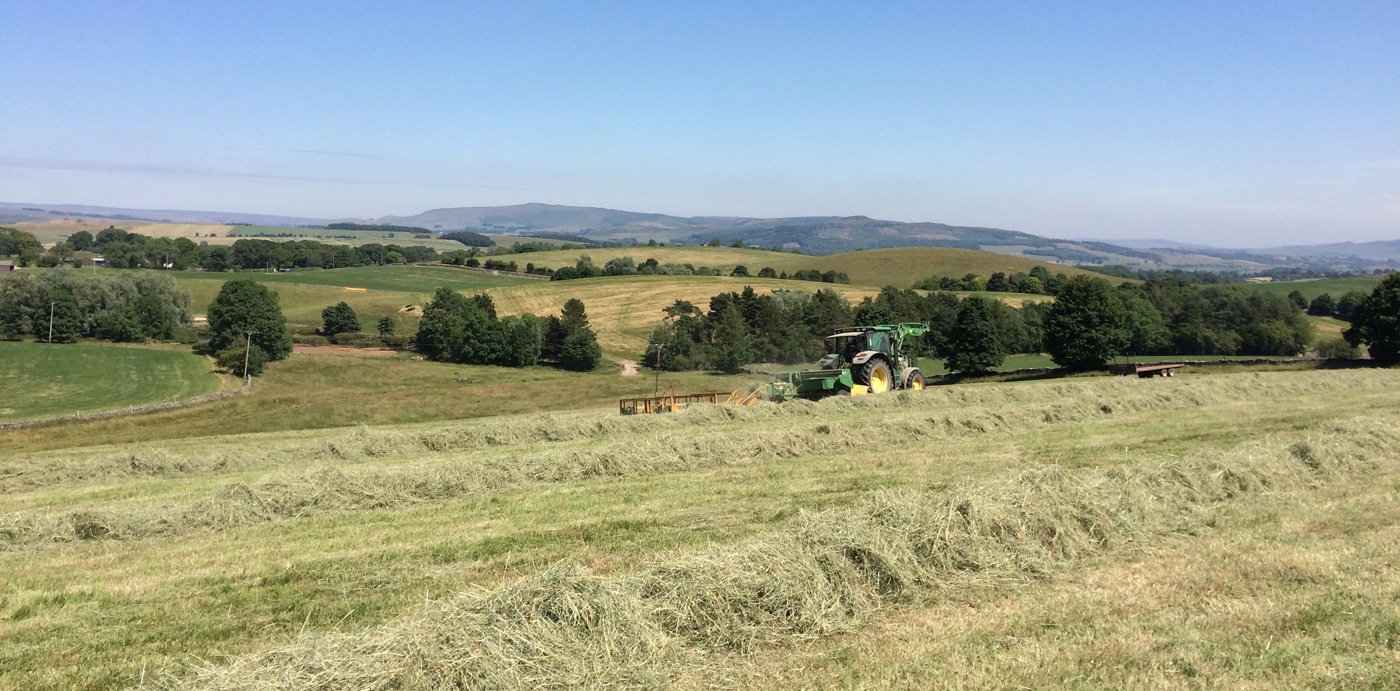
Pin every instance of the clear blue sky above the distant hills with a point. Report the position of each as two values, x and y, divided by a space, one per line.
1230 124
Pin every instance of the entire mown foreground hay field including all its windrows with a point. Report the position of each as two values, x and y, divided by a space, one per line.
1212 531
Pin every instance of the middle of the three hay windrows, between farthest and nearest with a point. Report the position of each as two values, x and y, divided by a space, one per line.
576 448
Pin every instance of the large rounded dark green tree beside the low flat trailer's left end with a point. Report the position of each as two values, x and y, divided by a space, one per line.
1087 325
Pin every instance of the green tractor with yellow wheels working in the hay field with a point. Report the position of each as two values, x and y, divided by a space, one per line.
860 360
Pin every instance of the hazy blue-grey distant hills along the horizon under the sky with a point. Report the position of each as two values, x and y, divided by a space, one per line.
815 236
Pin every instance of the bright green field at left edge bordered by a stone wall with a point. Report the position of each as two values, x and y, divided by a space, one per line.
43 380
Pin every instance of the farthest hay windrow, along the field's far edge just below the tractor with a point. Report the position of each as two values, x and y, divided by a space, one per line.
1016 406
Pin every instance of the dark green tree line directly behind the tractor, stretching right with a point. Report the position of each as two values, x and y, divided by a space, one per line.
1088 324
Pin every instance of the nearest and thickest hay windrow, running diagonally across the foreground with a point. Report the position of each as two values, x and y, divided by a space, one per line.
827 573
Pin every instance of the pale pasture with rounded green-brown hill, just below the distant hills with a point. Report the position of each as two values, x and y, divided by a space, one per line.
901 268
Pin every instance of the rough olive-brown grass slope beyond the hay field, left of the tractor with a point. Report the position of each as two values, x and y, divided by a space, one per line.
313 392
